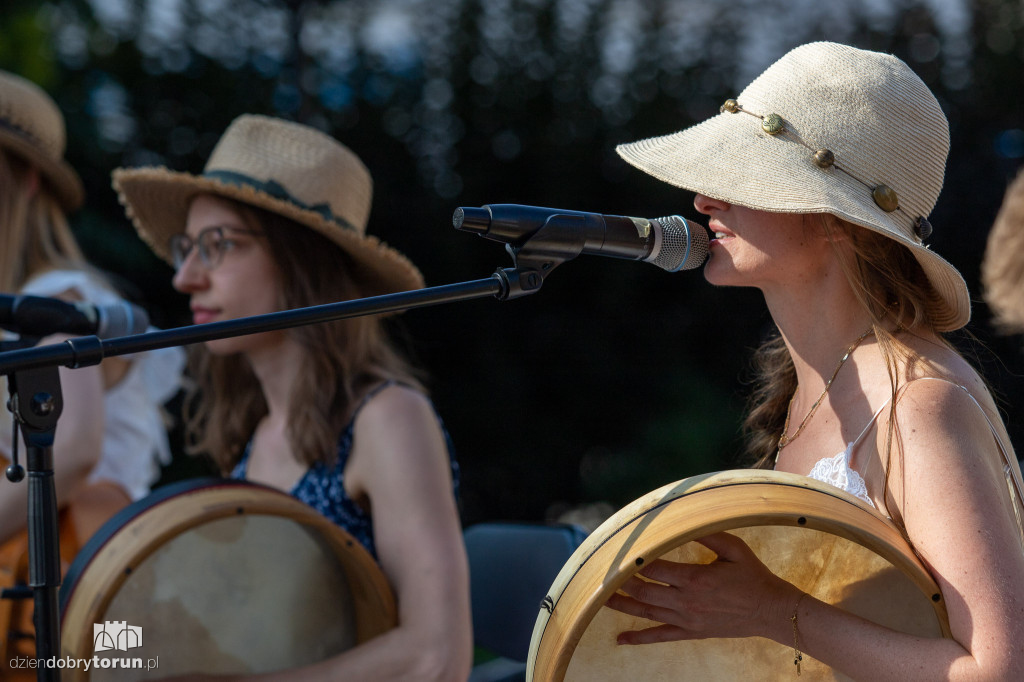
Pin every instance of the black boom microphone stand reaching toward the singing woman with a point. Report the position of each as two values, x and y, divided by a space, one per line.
35 383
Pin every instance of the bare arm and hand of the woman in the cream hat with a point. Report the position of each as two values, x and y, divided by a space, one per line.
950 489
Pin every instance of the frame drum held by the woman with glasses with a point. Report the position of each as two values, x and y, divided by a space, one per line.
217 576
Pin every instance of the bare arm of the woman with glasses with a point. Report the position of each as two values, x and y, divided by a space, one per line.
401 461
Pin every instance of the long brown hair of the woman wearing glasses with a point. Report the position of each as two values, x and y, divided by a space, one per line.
342 361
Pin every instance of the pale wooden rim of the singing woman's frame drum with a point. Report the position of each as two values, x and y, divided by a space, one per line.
653 526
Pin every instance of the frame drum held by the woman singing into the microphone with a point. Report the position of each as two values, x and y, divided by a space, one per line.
828 543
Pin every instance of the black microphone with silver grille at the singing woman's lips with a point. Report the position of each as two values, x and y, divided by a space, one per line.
668 243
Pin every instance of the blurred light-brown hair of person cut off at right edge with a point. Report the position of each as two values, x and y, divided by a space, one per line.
1003 268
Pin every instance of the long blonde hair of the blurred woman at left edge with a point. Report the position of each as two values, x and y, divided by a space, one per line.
35 235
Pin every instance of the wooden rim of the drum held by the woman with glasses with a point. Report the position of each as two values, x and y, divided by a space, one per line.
134 535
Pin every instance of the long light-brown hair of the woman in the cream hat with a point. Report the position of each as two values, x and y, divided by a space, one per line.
890 286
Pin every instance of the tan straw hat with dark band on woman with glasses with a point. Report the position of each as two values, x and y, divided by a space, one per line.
287 168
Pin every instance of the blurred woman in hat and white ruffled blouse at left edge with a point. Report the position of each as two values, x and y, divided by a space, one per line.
112 438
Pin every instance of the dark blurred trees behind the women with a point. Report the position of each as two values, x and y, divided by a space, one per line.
617 378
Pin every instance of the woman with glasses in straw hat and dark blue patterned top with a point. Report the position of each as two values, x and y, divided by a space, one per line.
330 413
